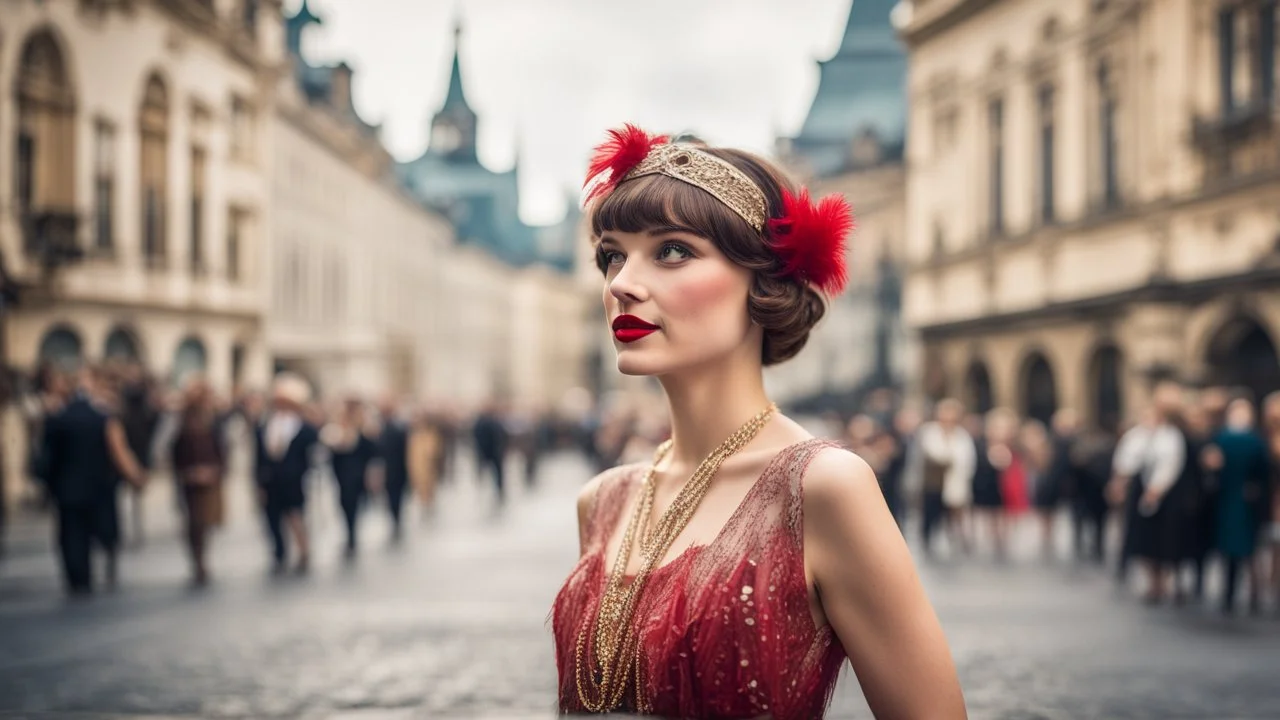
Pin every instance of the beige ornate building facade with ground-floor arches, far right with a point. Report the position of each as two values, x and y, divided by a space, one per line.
1092 200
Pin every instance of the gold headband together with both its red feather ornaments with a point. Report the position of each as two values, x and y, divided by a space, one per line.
810 238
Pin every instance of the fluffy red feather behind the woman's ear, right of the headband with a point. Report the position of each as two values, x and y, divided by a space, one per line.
811 239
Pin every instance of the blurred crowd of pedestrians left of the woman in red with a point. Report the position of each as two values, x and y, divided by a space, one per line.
103 435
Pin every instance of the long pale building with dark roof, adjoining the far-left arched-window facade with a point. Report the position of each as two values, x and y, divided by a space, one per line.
356 261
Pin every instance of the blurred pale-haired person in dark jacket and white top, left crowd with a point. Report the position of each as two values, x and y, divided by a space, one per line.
286 445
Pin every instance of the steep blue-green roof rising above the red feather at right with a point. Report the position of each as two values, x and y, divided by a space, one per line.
863 88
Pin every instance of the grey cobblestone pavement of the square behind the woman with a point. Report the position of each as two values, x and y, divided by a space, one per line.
454 625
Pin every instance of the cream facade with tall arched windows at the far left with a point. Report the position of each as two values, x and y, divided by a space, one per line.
135 176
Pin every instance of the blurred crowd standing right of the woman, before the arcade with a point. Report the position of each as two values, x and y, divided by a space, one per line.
1190 482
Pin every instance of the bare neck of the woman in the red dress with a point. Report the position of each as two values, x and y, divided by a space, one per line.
708 405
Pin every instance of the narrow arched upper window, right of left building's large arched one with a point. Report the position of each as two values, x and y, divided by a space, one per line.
154 165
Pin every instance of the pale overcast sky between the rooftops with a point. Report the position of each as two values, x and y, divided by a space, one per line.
547 78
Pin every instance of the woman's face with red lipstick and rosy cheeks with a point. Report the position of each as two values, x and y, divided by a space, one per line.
674 302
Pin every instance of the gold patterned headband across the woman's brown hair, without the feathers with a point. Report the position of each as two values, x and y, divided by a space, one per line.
702 170
